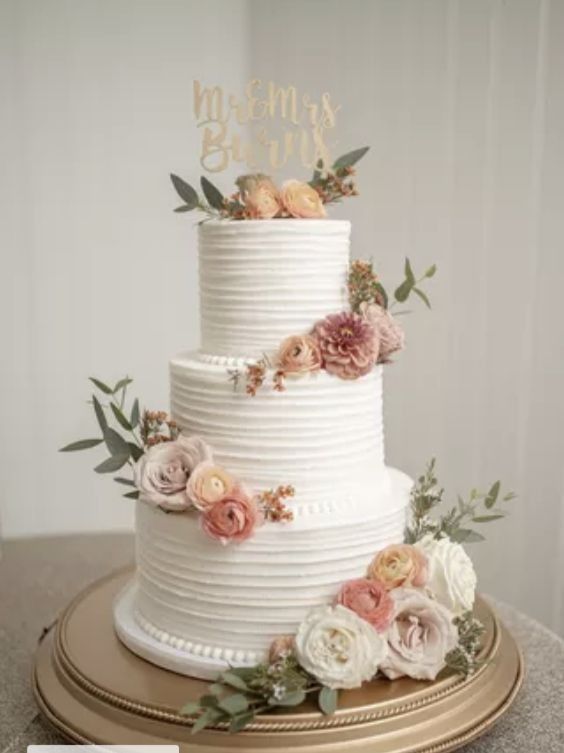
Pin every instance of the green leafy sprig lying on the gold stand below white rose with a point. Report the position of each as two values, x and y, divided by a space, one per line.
241 693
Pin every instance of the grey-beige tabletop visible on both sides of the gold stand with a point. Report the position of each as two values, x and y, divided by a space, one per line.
39 576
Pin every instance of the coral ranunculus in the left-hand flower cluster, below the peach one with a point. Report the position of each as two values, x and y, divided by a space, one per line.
233 518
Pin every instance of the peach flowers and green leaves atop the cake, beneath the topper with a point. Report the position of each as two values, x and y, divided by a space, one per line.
258 198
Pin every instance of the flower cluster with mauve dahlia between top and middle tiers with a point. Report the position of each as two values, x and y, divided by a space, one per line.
347 344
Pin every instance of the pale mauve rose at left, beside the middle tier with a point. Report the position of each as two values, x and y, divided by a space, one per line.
162 472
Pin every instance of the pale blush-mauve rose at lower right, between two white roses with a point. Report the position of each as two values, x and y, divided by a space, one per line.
419 638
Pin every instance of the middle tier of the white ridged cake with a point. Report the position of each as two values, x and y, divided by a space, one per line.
322 435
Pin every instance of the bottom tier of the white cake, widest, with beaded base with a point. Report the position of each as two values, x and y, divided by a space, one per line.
196 606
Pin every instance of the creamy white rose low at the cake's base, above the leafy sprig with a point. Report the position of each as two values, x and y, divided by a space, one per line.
338 648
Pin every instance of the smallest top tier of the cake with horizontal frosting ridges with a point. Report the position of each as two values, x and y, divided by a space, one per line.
261 281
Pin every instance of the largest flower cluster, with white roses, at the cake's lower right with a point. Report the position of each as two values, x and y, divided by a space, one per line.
409 616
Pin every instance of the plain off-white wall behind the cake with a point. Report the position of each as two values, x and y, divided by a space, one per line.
463 103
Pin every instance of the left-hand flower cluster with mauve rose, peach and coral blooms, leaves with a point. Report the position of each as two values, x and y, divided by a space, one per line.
177 473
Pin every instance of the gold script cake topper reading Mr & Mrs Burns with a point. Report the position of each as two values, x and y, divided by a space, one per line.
267 126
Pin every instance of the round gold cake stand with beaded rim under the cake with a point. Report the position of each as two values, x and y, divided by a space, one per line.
94 690
